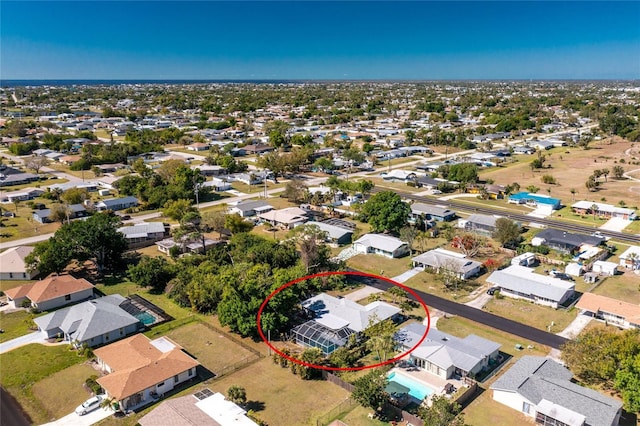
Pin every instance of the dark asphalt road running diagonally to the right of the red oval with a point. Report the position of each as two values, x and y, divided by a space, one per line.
477 315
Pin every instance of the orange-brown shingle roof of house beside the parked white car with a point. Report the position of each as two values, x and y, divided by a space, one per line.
137 364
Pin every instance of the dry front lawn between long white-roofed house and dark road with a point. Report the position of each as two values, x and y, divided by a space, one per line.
531 314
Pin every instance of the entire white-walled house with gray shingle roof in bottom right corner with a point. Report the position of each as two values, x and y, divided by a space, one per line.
543 389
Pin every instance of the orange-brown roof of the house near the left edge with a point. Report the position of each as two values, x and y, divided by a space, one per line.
51 287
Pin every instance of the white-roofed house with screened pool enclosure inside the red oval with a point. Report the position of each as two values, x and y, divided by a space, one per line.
336 319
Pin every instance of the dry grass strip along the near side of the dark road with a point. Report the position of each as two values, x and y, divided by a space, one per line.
462 327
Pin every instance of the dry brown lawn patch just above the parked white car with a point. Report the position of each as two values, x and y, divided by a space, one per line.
62 392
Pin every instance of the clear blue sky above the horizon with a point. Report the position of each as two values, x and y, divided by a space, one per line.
319 40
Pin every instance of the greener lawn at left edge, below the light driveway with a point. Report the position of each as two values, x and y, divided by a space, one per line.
23 367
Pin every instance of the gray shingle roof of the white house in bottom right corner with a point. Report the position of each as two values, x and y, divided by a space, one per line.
538 378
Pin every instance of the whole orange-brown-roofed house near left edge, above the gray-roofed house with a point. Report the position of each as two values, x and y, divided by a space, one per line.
53 292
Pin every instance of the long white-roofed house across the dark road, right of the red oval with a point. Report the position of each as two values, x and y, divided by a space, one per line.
520 282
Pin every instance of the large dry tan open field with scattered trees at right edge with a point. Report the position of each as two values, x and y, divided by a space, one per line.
571 167
